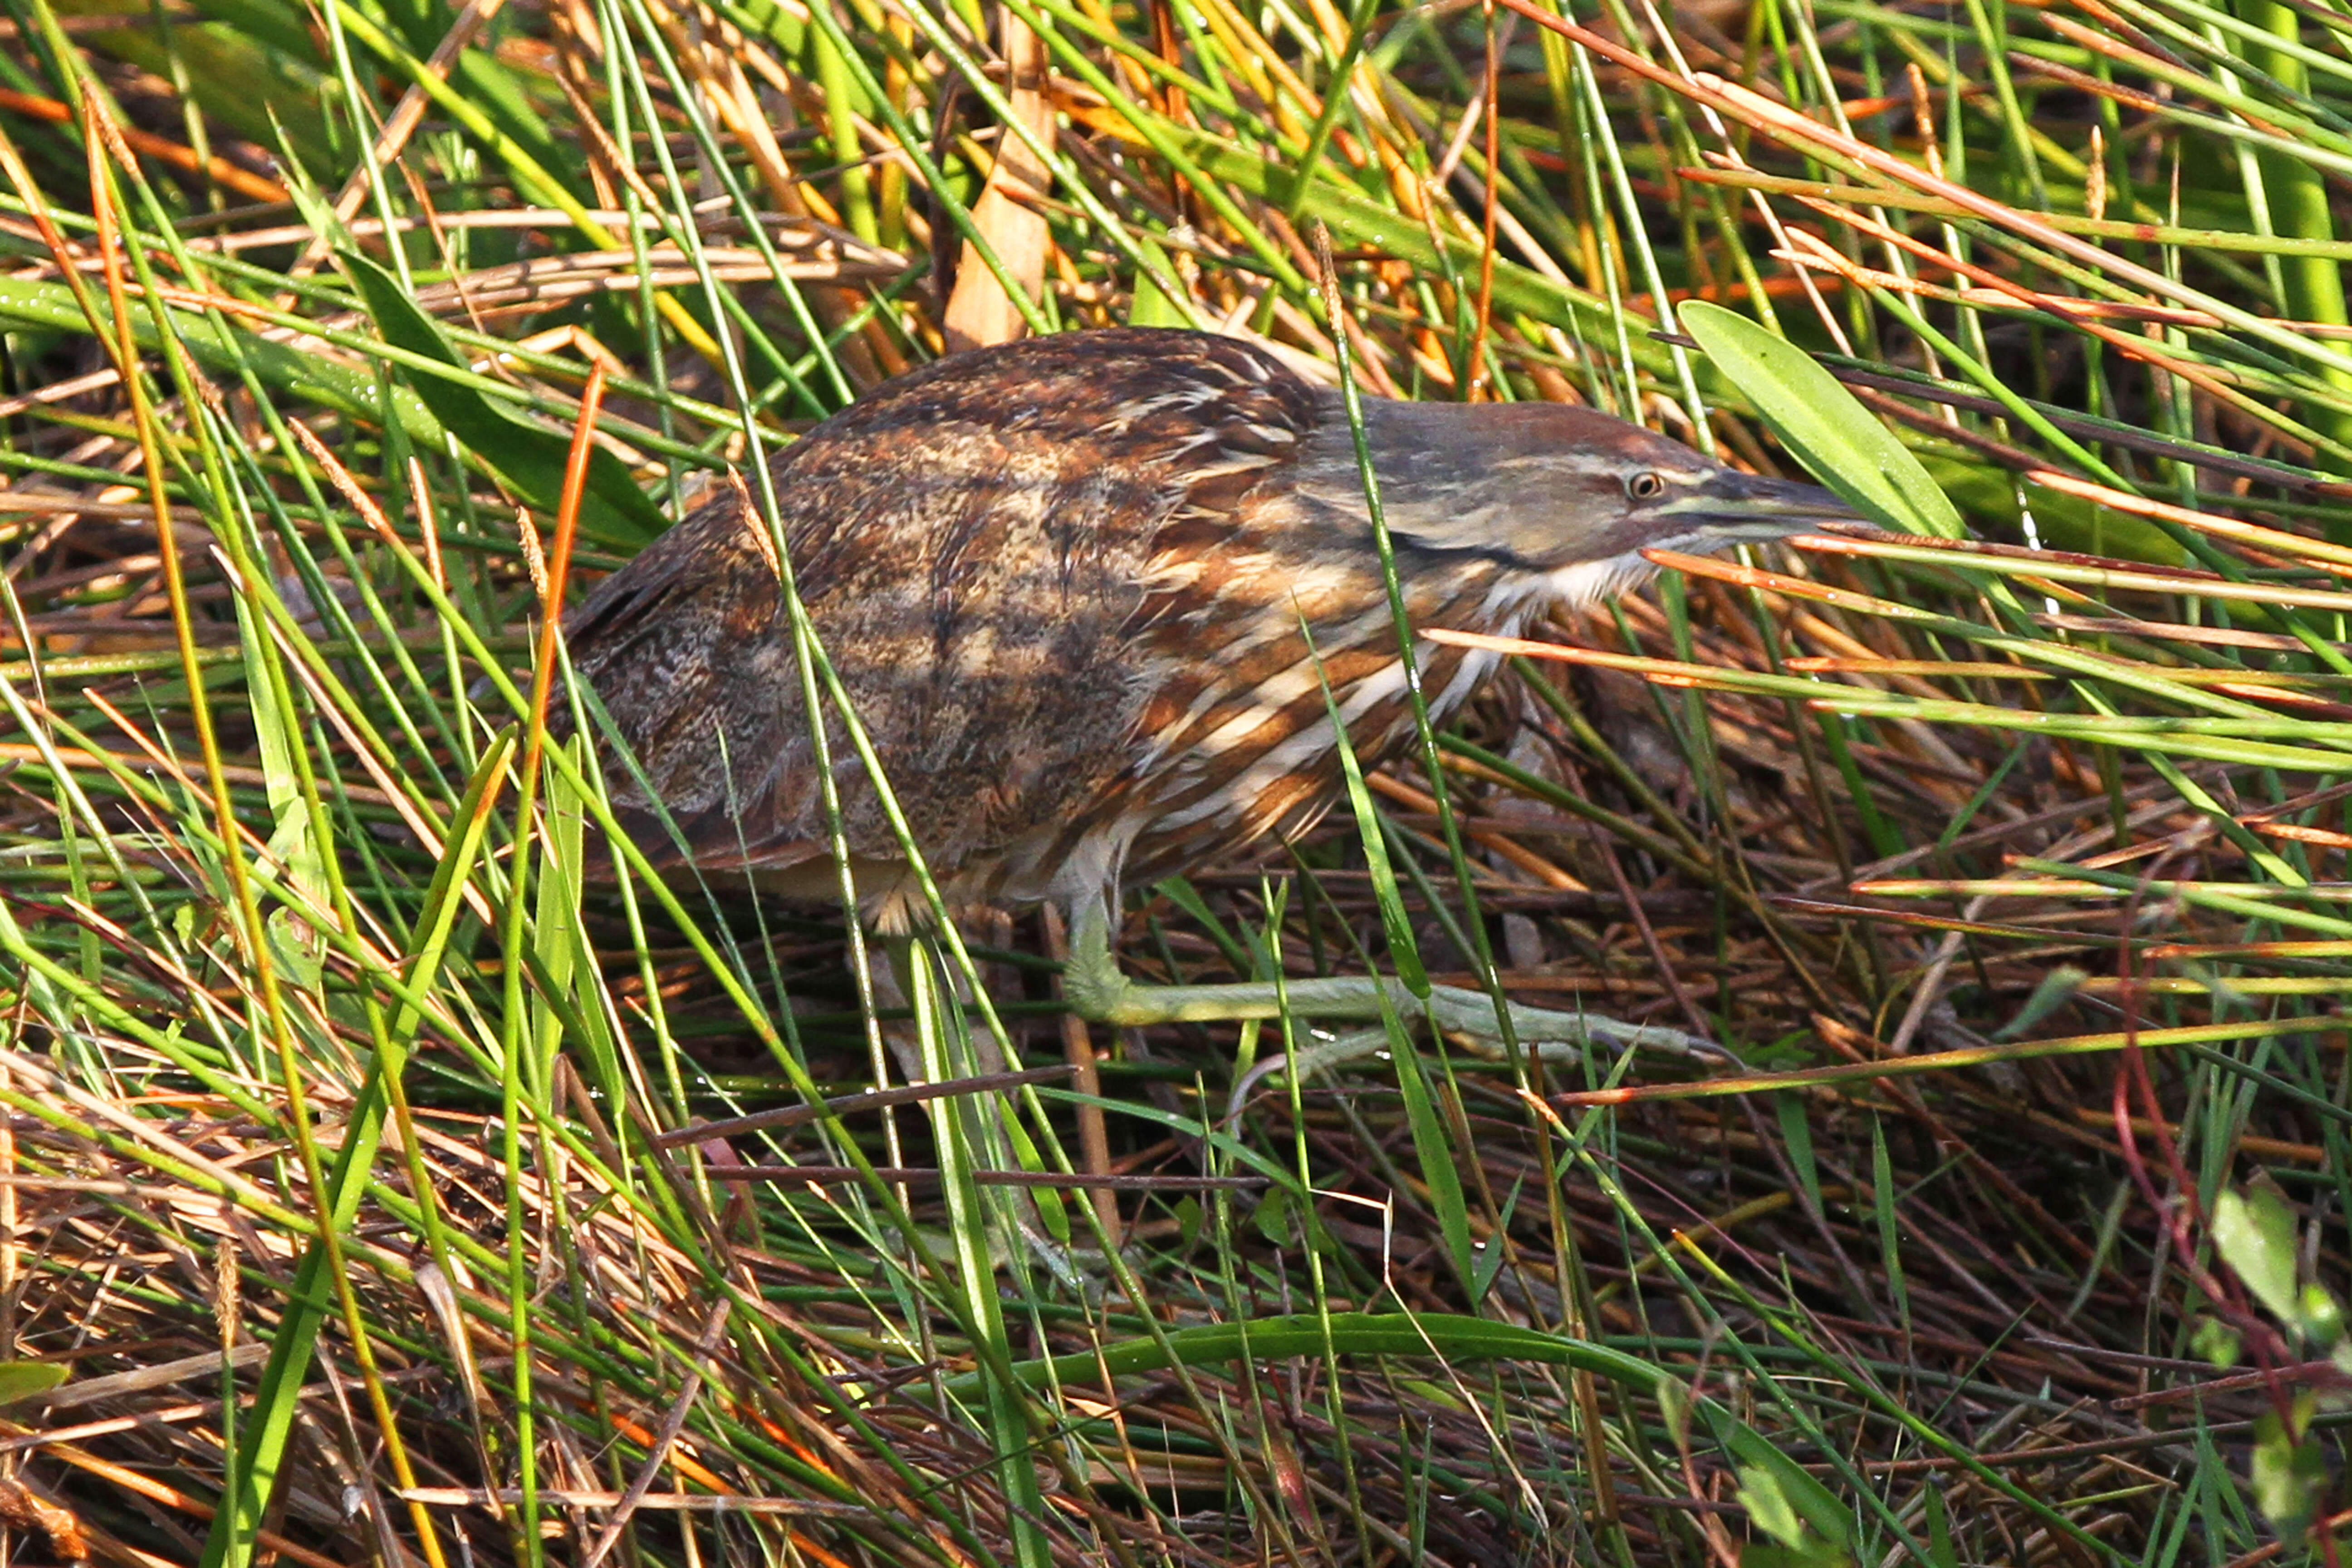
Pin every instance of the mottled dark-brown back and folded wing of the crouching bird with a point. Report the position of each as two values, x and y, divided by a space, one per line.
975 547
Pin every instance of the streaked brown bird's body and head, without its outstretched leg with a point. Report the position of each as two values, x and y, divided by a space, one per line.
1095 601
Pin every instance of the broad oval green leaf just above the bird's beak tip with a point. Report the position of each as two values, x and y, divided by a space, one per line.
1824 424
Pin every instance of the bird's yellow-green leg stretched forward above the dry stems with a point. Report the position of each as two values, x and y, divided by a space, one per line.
1097 991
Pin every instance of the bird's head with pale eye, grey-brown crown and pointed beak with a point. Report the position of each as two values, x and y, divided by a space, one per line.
1561 500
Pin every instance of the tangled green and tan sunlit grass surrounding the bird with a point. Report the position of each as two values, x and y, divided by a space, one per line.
356 1106
